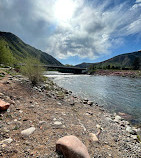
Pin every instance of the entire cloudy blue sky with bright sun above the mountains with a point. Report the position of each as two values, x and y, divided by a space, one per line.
75 31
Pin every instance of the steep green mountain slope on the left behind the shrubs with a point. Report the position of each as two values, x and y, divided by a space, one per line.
21 50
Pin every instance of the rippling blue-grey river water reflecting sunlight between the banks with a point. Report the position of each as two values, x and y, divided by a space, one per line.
114 93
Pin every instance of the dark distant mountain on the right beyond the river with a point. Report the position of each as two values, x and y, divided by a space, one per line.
121 61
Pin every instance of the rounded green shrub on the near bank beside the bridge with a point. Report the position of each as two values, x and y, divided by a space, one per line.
33 70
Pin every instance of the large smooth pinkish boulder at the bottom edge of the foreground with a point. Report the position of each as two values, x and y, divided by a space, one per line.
71 147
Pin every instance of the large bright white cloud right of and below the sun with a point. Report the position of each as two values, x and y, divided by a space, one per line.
93 31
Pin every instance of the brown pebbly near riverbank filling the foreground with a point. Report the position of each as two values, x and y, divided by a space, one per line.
55 112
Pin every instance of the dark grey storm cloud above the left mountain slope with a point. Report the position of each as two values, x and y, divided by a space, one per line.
20 18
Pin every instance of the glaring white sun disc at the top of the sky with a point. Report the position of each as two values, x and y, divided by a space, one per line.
64 10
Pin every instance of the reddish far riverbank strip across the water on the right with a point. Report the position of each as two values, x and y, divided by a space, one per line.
123 73
